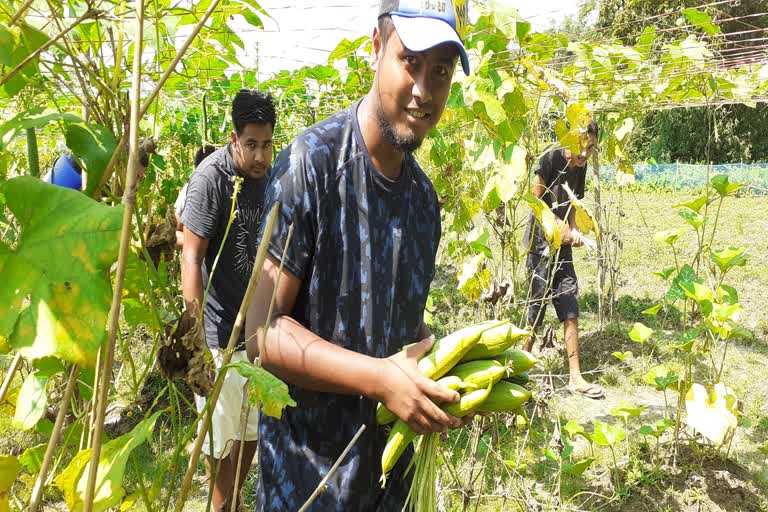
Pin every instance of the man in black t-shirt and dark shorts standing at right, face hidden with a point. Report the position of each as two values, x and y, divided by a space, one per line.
555 278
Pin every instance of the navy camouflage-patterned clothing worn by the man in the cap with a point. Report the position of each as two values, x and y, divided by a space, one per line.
364 248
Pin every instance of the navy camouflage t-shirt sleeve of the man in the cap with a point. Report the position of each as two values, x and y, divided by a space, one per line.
293 184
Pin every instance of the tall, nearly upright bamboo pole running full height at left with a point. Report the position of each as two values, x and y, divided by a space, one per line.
129 201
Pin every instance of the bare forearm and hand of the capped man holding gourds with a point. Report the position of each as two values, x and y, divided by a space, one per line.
297 355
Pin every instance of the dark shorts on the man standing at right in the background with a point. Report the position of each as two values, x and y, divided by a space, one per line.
562 289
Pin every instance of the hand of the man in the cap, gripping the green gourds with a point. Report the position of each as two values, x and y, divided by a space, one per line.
411 396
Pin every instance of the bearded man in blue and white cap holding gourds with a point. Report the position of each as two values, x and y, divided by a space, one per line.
366 228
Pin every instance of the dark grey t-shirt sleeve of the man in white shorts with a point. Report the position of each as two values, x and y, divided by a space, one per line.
202 205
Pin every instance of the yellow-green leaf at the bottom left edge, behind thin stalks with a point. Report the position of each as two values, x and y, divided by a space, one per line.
109 477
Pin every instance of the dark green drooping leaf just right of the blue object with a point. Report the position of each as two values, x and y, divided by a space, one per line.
94 145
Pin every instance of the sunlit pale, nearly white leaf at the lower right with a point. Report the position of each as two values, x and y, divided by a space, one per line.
711 414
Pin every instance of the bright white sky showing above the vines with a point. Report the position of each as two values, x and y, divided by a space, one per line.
304 32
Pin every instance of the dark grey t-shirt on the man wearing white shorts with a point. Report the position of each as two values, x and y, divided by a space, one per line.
206 213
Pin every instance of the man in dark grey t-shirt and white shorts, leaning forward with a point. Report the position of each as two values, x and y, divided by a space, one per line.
205 216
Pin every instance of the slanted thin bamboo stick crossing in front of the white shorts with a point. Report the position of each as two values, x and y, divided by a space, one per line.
261 256
